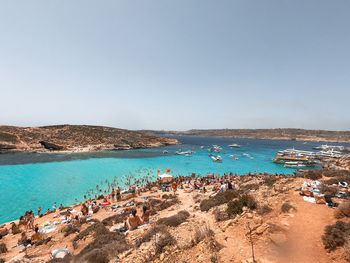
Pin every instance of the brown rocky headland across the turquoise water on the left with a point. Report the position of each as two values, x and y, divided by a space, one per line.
75 138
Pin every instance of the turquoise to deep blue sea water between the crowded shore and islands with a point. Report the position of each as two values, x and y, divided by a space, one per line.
30 180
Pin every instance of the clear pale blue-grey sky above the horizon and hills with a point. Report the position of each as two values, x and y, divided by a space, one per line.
177 64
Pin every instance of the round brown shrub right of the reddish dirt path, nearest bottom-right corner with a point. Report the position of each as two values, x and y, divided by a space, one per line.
335 235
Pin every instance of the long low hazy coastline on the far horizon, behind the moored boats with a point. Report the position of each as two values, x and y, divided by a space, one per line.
271 134
